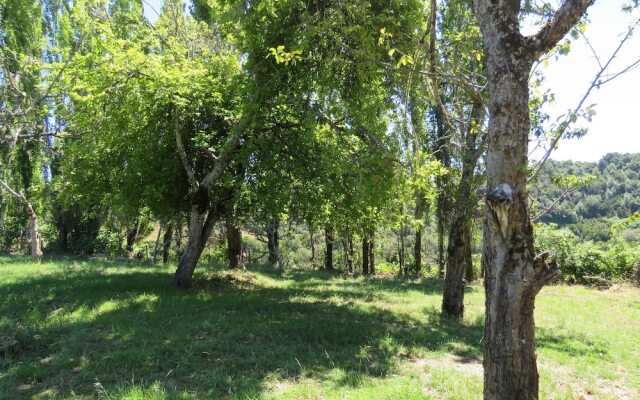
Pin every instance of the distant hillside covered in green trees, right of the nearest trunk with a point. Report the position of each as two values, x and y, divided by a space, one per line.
590 211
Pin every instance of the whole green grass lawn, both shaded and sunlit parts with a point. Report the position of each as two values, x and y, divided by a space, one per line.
105 330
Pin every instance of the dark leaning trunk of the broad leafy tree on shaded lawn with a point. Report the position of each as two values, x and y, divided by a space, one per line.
201 222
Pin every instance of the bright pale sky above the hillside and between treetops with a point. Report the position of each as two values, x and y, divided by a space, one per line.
614 128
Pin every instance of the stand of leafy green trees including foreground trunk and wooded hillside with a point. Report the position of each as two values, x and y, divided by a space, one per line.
353 136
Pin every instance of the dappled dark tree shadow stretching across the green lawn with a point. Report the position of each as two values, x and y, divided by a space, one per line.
93 328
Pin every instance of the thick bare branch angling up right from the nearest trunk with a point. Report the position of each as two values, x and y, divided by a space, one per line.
559 25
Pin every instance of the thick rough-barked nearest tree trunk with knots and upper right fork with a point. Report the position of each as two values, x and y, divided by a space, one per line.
514 275
